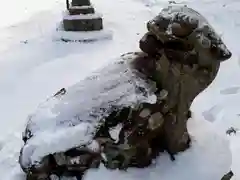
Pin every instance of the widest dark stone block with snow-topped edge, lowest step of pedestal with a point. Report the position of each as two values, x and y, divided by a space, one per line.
89 22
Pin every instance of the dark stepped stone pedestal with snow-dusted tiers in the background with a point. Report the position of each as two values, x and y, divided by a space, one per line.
81 16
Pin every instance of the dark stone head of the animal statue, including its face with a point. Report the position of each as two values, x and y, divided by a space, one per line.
180 29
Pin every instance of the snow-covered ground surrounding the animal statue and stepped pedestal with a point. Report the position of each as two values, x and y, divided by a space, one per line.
33 67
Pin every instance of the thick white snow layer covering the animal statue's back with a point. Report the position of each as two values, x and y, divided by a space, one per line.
74 117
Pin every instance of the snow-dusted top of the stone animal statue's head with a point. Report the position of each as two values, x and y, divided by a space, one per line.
185 24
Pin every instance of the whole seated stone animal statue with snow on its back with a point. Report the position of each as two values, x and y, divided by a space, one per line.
146 94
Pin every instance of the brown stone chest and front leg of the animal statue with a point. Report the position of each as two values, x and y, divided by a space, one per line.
191 81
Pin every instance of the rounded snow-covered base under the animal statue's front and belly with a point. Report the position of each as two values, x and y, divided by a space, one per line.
209 158
